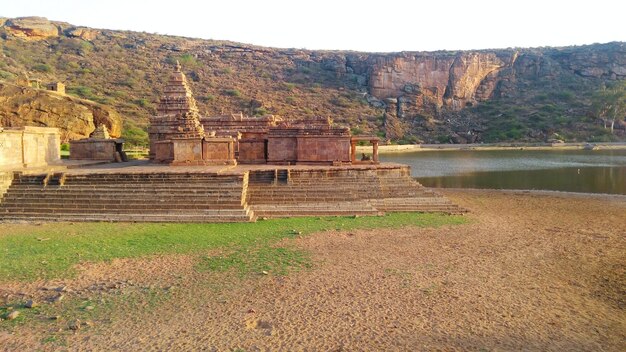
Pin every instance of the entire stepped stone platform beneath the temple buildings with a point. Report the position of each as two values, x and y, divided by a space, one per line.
142 191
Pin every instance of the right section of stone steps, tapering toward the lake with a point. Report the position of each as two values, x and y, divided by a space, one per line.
341 192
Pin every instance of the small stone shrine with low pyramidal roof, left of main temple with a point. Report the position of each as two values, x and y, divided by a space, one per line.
99 146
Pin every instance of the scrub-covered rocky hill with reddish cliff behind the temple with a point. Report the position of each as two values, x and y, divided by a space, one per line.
465 96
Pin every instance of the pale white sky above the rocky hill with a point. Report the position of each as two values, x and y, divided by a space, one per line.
375 26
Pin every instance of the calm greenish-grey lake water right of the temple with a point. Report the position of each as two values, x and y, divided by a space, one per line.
591 171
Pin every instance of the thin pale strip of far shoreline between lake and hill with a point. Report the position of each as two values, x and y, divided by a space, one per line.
409 148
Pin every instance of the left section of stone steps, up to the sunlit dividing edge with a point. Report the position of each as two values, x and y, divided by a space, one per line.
150 197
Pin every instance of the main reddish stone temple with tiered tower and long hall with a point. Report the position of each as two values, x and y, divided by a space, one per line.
178 136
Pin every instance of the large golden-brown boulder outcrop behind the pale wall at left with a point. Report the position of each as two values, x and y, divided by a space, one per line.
76 118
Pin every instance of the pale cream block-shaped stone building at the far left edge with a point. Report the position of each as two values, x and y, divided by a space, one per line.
22 147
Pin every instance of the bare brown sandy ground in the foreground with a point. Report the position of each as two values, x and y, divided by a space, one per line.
530 272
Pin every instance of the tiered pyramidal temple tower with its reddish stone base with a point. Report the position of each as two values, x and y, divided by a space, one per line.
176 135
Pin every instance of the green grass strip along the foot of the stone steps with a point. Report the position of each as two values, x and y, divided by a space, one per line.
50 250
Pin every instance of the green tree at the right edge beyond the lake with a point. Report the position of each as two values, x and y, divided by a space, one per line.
609 104
